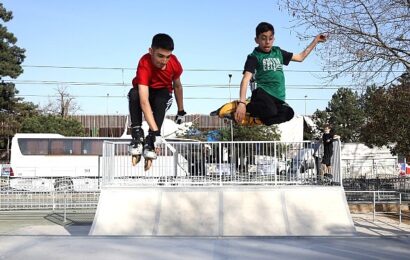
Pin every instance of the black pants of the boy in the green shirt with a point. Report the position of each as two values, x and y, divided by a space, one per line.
268 109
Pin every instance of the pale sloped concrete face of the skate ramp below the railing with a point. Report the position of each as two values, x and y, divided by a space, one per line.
223 211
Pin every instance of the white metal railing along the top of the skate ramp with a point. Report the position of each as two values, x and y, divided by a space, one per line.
217 163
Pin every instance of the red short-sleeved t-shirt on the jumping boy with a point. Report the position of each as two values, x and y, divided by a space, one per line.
149 75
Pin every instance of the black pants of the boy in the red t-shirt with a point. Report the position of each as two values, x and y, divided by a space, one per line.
159 99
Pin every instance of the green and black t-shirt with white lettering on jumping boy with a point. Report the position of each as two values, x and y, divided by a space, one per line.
267 68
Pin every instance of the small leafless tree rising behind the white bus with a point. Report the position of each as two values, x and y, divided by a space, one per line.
63 105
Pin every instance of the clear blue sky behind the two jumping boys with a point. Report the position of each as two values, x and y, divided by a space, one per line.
212 40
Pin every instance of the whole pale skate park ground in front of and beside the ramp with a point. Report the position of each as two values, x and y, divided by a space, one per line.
41 235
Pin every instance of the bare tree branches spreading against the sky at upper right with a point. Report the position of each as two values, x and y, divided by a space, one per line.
369 40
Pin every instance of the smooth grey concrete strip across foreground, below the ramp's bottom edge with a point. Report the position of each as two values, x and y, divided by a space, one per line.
80 247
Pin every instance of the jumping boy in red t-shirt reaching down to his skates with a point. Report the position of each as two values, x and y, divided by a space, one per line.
157 76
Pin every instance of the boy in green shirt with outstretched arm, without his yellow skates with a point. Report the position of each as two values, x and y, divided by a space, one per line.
265 64
